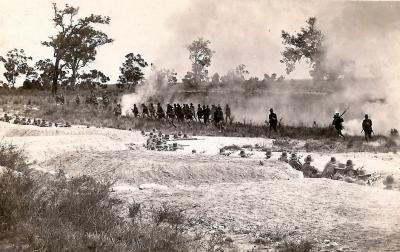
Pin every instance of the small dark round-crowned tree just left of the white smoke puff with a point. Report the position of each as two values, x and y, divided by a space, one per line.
131 70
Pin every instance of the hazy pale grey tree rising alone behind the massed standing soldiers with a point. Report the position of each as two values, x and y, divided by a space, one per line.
200 55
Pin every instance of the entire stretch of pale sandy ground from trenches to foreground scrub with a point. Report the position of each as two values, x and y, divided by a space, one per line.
237 196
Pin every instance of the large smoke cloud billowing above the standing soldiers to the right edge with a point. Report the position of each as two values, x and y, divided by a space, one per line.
365 33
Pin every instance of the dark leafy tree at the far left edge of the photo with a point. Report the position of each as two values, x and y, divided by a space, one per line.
15 63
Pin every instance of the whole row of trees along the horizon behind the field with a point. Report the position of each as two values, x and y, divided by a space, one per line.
77 40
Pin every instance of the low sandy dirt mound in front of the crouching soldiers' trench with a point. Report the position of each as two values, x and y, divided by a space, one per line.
140 166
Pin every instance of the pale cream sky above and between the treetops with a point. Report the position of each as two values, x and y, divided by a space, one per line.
241 32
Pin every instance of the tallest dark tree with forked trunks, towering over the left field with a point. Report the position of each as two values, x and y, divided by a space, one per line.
76 42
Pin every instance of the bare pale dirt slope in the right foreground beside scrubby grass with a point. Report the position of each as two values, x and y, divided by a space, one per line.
357 218
